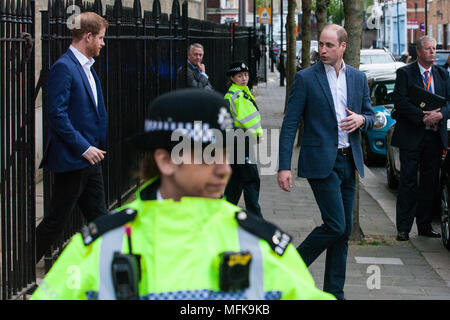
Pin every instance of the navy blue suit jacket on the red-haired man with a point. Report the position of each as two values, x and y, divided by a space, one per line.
75 122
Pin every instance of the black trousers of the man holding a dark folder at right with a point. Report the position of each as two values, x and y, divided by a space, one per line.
417 199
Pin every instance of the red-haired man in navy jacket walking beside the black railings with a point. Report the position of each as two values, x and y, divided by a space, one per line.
76 133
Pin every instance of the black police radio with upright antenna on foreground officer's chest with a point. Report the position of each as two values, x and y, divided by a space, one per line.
126 272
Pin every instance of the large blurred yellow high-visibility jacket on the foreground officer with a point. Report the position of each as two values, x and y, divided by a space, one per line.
179 243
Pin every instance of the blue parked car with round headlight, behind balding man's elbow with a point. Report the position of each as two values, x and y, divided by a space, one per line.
374 141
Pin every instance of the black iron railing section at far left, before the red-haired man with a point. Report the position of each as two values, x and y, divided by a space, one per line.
17 166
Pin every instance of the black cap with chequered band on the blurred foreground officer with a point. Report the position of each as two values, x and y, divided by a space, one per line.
191 112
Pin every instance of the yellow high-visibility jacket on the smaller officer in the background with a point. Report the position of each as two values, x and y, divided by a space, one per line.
243 109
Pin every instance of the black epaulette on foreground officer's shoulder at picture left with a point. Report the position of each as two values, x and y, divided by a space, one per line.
106 223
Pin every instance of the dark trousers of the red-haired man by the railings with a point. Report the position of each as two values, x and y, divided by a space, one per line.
84 187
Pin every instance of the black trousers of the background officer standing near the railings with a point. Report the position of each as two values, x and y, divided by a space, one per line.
244 178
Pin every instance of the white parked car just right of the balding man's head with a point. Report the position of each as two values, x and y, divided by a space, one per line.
375 62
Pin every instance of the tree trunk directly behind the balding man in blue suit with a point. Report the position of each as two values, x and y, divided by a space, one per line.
353 11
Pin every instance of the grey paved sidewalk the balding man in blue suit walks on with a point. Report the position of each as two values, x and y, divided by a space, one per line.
378 267
